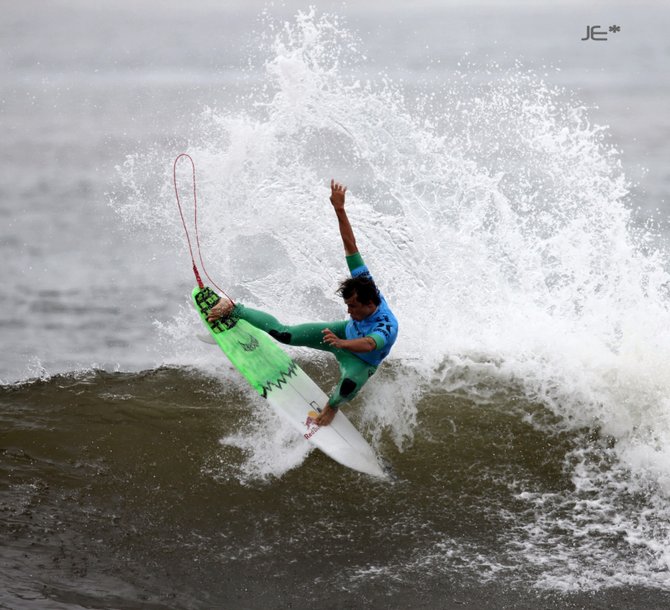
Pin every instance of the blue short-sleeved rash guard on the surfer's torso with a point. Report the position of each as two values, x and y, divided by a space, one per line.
381 325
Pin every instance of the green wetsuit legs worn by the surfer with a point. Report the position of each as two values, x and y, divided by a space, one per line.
354 371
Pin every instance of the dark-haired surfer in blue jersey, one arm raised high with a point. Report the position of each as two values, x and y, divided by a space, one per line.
358 344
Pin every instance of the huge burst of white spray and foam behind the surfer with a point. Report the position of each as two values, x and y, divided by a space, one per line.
499 223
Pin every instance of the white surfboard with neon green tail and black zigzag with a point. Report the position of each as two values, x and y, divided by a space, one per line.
287 388
